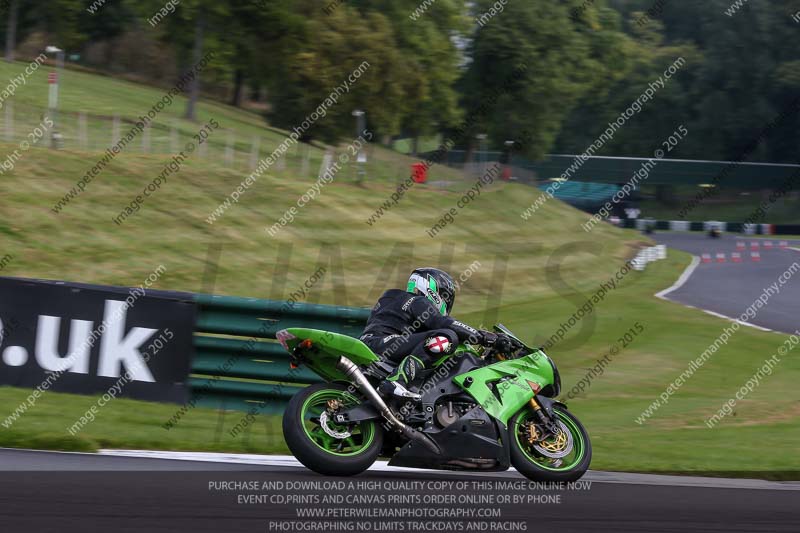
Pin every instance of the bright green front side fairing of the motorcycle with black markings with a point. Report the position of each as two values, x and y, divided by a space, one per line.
514 392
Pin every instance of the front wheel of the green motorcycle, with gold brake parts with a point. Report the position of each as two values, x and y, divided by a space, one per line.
563 458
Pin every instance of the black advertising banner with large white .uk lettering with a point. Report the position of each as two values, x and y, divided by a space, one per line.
89 339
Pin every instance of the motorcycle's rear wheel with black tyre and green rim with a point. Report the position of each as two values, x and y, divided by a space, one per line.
326 452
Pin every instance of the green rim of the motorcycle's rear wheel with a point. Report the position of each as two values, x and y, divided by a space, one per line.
362 434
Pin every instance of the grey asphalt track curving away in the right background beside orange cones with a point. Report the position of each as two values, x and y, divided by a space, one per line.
729 288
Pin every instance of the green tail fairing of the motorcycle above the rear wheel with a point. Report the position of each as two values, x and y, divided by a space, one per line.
326 348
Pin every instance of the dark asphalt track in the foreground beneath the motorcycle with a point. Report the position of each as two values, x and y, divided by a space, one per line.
60 492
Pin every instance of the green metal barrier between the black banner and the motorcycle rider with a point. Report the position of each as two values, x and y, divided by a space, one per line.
239 365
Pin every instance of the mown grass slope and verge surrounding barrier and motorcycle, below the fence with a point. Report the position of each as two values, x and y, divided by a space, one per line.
532 275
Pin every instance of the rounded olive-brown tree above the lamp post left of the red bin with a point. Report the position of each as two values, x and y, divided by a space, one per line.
322 54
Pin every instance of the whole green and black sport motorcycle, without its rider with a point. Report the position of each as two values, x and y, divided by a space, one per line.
476 410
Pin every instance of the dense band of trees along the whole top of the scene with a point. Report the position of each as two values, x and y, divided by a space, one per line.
443 65
